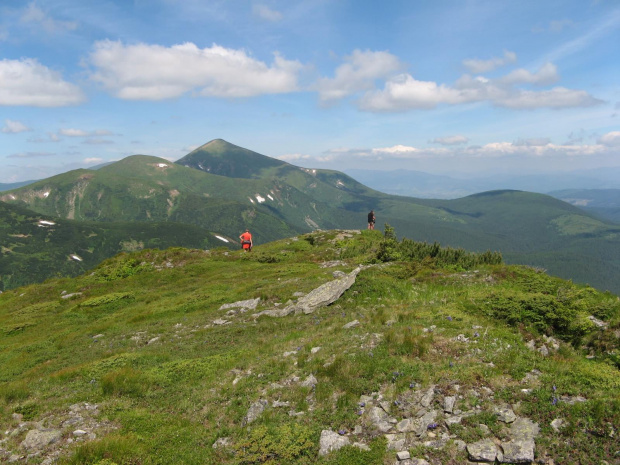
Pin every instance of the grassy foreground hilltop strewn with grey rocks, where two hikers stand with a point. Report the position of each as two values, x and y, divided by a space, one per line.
139 362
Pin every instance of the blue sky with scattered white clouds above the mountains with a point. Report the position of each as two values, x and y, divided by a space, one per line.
459 87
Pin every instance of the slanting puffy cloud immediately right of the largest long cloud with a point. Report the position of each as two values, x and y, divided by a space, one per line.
358 73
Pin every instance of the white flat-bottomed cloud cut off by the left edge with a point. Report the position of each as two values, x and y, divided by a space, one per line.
26 82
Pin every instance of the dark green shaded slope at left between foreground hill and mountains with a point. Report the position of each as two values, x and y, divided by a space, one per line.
36 247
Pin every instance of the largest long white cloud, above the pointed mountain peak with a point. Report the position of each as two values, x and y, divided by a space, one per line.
154 72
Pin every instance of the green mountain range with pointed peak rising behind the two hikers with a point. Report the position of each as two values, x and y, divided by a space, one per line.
223 188
